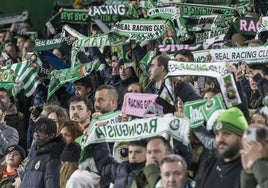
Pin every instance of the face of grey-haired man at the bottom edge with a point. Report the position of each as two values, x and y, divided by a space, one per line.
173 175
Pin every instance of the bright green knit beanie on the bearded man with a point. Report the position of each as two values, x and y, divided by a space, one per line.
232 120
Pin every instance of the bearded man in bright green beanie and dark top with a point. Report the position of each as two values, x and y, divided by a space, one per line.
223 170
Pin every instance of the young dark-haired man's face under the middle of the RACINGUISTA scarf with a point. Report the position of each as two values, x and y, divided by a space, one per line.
136 154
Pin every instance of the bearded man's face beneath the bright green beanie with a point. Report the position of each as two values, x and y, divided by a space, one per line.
228 144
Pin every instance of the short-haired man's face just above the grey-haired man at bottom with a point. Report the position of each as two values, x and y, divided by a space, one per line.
155 150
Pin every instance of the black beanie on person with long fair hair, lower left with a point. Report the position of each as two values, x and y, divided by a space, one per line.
71 152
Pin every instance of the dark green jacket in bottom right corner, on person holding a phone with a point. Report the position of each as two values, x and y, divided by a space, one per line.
259 176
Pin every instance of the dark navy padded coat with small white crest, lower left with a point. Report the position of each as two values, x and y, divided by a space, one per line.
42 170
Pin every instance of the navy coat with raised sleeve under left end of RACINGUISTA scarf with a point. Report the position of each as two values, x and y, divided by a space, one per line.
120 174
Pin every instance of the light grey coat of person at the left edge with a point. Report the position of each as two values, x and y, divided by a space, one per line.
8 136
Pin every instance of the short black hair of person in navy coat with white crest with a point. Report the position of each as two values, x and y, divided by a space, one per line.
46 125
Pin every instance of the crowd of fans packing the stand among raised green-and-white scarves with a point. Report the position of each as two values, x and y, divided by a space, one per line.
43 135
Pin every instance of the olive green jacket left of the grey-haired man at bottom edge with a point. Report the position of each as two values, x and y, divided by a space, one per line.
147 178
